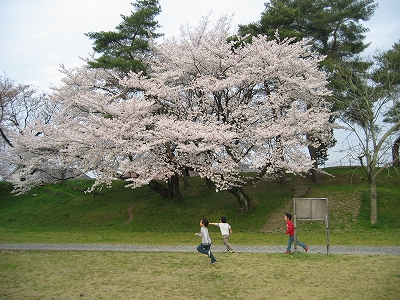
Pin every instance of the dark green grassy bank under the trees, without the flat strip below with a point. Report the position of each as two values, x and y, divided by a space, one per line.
68 208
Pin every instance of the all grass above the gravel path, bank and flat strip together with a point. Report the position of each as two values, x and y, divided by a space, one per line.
65 213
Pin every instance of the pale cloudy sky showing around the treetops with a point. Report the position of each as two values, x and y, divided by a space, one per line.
36 36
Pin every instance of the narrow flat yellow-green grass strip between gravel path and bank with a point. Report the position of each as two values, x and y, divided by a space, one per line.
316 238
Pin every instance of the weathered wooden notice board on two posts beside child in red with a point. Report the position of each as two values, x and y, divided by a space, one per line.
311 209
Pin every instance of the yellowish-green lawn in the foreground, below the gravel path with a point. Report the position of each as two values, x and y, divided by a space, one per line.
116 275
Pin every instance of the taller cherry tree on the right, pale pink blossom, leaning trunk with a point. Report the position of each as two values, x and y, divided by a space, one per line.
269 93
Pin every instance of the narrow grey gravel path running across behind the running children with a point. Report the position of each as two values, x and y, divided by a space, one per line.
248 249
